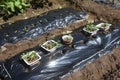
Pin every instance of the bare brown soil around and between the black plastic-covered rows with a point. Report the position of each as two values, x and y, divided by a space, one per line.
105 68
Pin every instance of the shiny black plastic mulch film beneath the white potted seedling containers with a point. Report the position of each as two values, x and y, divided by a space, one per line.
65 59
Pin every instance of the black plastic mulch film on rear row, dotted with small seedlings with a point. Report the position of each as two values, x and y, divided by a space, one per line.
33 27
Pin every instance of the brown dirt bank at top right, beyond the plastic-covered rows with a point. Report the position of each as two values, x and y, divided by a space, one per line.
101 11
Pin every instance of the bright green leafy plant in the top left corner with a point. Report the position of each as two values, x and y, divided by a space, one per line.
10 6
